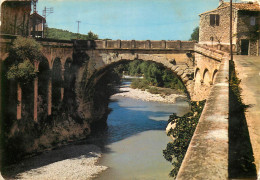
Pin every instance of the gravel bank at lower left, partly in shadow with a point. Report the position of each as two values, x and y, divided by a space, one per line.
70 162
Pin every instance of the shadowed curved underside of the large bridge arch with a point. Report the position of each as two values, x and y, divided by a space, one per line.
95 91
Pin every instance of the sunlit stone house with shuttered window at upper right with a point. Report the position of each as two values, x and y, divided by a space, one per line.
215 27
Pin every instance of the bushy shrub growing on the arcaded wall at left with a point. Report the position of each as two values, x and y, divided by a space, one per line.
23 53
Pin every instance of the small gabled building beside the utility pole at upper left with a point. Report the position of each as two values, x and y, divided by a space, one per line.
37 23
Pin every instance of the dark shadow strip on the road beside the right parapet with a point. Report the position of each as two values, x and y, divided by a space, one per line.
241 159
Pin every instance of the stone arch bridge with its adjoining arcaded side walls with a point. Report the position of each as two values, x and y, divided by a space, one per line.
194 64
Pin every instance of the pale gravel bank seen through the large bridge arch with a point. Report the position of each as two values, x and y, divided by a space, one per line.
146 96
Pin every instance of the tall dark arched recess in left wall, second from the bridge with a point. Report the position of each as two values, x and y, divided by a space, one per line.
56 76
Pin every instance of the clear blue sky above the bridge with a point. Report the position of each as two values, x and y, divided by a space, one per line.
128 19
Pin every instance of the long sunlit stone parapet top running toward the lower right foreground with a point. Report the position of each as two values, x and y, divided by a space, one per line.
207 155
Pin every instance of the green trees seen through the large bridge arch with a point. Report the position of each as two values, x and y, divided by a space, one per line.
154 75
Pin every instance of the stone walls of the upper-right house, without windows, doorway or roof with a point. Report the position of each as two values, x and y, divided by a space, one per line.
216 35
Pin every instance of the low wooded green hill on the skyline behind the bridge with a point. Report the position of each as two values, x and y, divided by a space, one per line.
54 33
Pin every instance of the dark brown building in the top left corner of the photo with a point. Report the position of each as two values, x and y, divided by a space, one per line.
15 17
